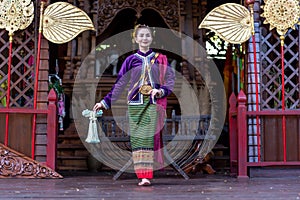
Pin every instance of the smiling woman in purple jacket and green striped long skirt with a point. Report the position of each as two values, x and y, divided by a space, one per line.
150 81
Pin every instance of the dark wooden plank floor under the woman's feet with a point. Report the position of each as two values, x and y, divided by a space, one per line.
264 184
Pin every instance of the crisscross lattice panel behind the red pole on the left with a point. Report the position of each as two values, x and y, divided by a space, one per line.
22 68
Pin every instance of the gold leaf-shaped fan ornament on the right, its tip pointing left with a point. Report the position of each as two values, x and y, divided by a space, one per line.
231 22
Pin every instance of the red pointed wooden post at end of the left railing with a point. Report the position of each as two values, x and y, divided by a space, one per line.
52 130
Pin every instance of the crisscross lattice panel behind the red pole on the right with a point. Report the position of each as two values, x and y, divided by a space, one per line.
271 87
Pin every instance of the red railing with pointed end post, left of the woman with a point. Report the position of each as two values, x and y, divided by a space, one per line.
51 113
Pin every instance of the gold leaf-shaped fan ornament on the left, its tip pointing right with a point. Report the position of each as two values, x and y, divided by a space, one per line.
62 22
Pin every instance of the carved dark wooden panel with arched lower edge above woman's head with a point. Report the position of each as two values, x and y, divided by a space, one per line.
107 10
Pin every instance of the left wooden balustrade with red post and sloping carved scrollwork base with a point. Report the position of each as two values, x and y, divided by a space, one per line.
22 165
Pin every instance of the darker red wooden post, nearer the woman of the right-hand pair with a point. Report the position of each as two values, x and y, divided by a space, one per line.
233 134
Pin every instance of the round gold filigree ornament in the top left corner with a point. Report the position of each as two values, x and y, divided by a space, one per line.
15 15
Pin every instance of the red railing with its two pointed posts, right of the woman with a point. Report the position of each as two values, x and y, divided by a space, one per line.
238 134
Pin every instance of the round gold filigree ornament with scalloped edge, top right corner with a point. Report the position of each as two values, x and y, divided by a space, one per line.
281 14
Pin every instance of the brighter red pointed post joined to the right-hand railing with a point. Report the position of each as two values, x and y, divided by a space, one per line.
242 135
